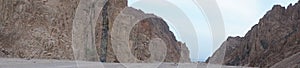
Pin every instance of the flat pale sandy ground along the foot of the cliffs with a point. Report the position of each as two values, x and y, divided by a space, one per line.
43 63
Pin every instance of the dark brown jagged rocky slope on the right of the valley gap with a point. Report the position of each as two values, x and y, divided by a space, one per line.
274 39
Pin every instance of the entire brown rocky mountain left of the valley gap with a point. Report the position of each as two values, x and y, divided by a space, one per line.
42 29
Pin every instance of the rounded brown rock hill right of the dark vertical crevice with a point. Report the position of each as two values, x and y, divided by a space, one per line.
147 29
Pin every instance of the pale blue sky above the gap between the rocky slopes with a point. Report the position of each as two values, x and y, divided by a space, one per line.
189 23
